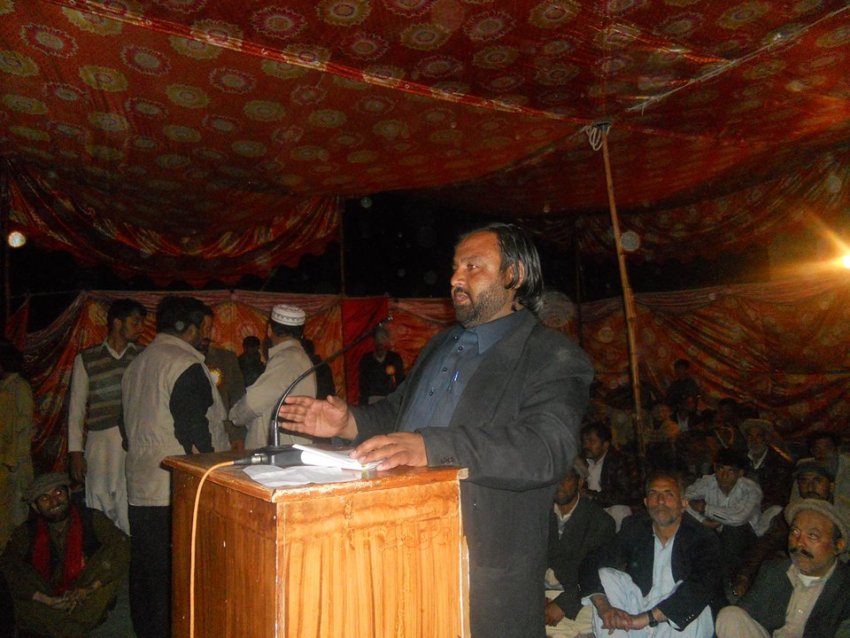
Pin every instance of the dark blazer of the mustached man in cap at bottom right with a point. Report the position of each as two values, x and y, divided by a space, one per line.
768 599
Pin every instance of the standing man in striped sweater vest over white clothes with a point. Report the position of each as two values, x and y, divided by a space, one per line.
94 408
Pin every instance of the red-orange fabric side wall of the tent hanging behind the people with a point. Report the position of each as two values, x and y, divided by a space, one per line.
776 346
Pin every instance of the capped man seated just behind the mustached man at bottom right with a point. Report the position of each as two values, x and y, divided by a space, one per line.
813 480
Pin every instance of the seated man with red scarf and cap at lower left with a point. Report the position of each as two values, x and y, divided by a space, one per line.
65 564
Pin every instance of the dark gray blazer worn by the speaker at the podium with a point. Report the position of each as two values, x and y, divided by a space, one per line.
515 429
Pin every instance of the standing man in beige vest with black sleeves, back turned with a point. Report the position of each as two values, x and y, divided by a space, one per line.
170 408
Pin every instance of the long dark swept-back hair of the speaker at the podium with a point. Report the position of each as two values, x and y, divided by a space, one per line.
516 247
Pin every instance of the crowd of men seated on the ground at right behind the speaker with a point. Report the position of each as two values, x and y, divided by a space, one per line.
733 533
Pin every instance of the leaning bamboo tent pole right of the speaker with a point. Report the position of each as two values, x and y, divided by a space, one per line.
628 303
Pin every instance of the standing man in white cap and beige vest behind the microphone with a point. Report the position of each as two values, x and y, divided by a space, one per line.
287 359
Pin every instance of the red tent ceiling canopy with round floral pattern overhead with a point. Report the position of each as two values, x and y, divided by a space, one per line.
200 138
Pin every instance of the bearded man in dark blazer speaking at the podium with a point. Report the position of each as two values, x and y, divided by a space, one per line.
498 394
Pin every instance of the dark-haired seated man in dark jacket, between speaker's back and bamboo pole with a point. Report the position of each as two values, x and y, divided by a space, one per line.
609 479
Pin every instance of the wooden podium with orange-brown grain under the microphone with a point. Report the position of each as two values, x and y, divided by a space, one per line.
376 557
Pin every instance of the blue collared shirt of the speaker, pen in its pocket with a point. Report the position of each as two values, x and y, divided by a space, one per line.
449 370
